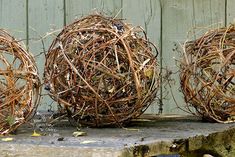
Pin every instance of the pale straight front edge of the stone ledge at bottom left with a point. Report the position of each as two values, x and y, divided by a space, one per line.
30 150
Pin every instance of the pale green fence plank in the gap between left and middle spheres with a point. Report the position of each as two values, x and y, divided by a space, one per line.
45 16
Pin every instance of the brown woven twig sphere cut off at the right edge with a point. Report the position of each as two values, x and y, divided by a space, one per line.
208 75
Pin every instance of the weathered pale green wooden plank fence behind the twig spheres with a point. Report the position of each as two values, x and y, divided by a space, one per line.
167 23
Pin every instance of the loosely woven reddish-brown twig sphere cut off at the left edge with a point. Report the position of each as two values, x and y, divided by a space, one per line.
19 84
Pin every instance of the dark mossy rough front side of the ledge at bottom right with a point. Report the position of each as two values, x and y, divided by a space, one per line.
220 144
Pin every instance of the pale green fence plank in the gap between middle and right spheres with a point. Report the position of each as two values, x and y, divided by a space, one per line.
177 19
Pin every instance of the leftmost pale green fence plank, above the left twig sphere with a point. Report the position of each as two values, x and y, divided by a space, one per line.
12 17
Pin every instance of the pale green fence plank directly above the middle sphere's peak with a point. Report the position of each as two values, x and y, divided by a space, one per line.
78 8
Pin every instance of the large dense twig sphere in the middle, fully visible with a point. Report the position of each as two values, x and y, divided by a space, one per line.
102 71
